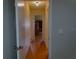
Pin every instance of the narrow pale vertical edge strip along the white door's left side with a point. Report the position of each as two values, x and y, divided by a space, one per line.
17 29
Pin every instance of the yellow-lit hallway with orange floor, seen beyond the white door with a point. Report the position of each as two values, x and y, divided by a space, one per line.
38 48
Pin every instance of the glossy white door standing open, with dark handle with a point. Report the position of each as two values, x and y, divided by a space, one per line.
22 30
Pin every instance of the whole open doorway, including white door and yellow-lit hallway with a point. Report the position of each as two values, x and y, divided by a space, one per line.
32 29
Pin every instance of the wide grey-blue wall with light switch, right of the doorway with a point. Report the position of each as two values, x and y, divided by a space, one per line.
62 29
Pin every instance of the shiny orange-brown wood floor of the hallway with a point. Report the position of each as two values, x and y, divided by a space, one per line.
37 50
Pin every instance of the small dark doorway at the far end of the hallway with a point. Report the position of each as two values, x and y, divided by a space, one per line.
38 27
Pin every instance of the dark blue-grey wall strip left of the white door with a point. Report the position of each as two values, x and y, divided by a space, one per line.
9 34
